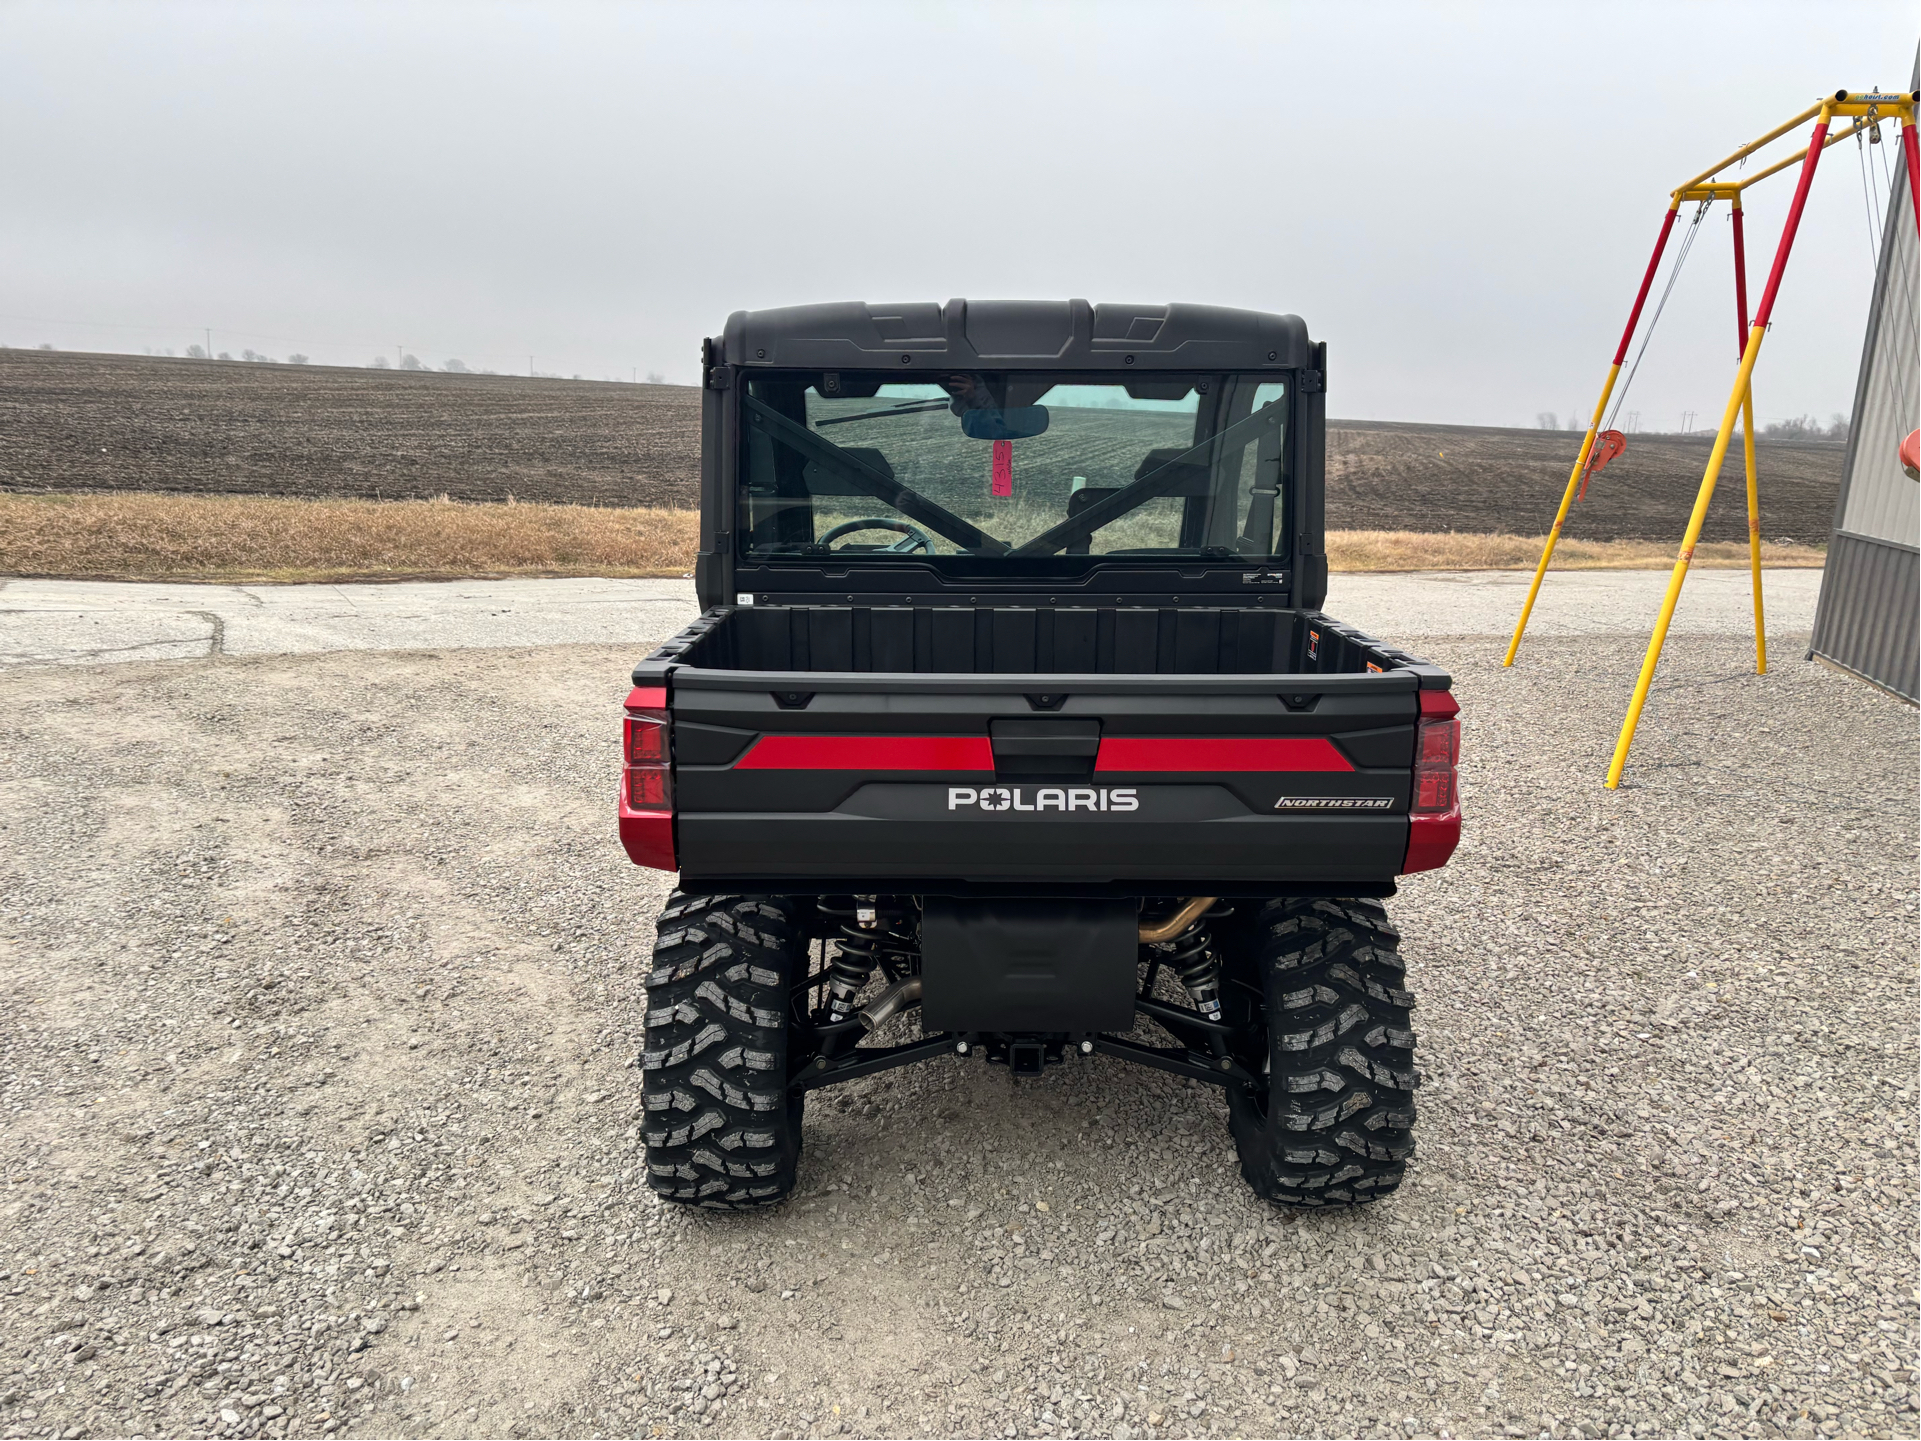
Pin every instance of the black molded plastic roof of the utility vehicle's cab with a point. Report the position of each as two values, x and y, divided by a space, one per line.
1015 335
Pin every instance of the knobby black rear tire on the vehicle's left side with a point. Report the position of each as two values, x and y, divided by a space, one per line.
721 1127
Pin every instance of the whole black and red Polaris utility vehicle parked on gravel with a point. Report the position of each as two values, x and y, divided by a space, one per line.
1011 704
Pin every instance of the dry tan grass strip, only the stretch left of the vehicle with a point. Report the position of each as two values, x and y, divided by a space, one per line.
153 537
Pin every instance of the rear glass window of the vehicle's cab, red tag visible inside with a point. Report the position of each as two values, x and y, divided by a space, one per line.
1013 468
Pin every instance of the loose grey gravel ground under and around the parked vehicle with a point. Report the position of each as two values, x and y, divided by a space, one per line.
322 981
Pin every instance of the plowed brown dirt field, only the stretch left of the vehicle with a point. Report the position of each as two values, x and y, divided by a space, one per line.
228 427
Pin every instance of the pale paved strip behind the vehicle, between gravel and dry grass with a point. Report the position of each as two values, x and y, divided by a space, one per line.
95 622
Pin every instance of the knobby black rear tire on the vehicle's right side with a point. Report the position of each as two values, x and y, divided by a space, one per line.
1338 1119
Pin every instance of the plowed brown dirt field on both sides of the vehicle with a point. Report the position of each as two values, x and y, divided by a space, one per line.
72 422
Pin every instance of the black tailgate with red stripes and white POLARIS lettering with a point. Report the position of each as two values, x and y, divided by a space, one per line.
931 783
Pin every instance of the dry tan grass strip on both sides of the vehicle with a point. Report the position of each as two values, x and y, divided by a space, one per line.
245 539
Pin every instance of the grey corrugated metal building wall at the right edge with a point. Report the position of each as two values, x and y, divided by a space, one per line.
1870 614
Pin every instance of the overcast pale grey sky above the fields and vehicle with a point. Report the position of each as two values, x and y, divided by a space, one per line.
1459 199
